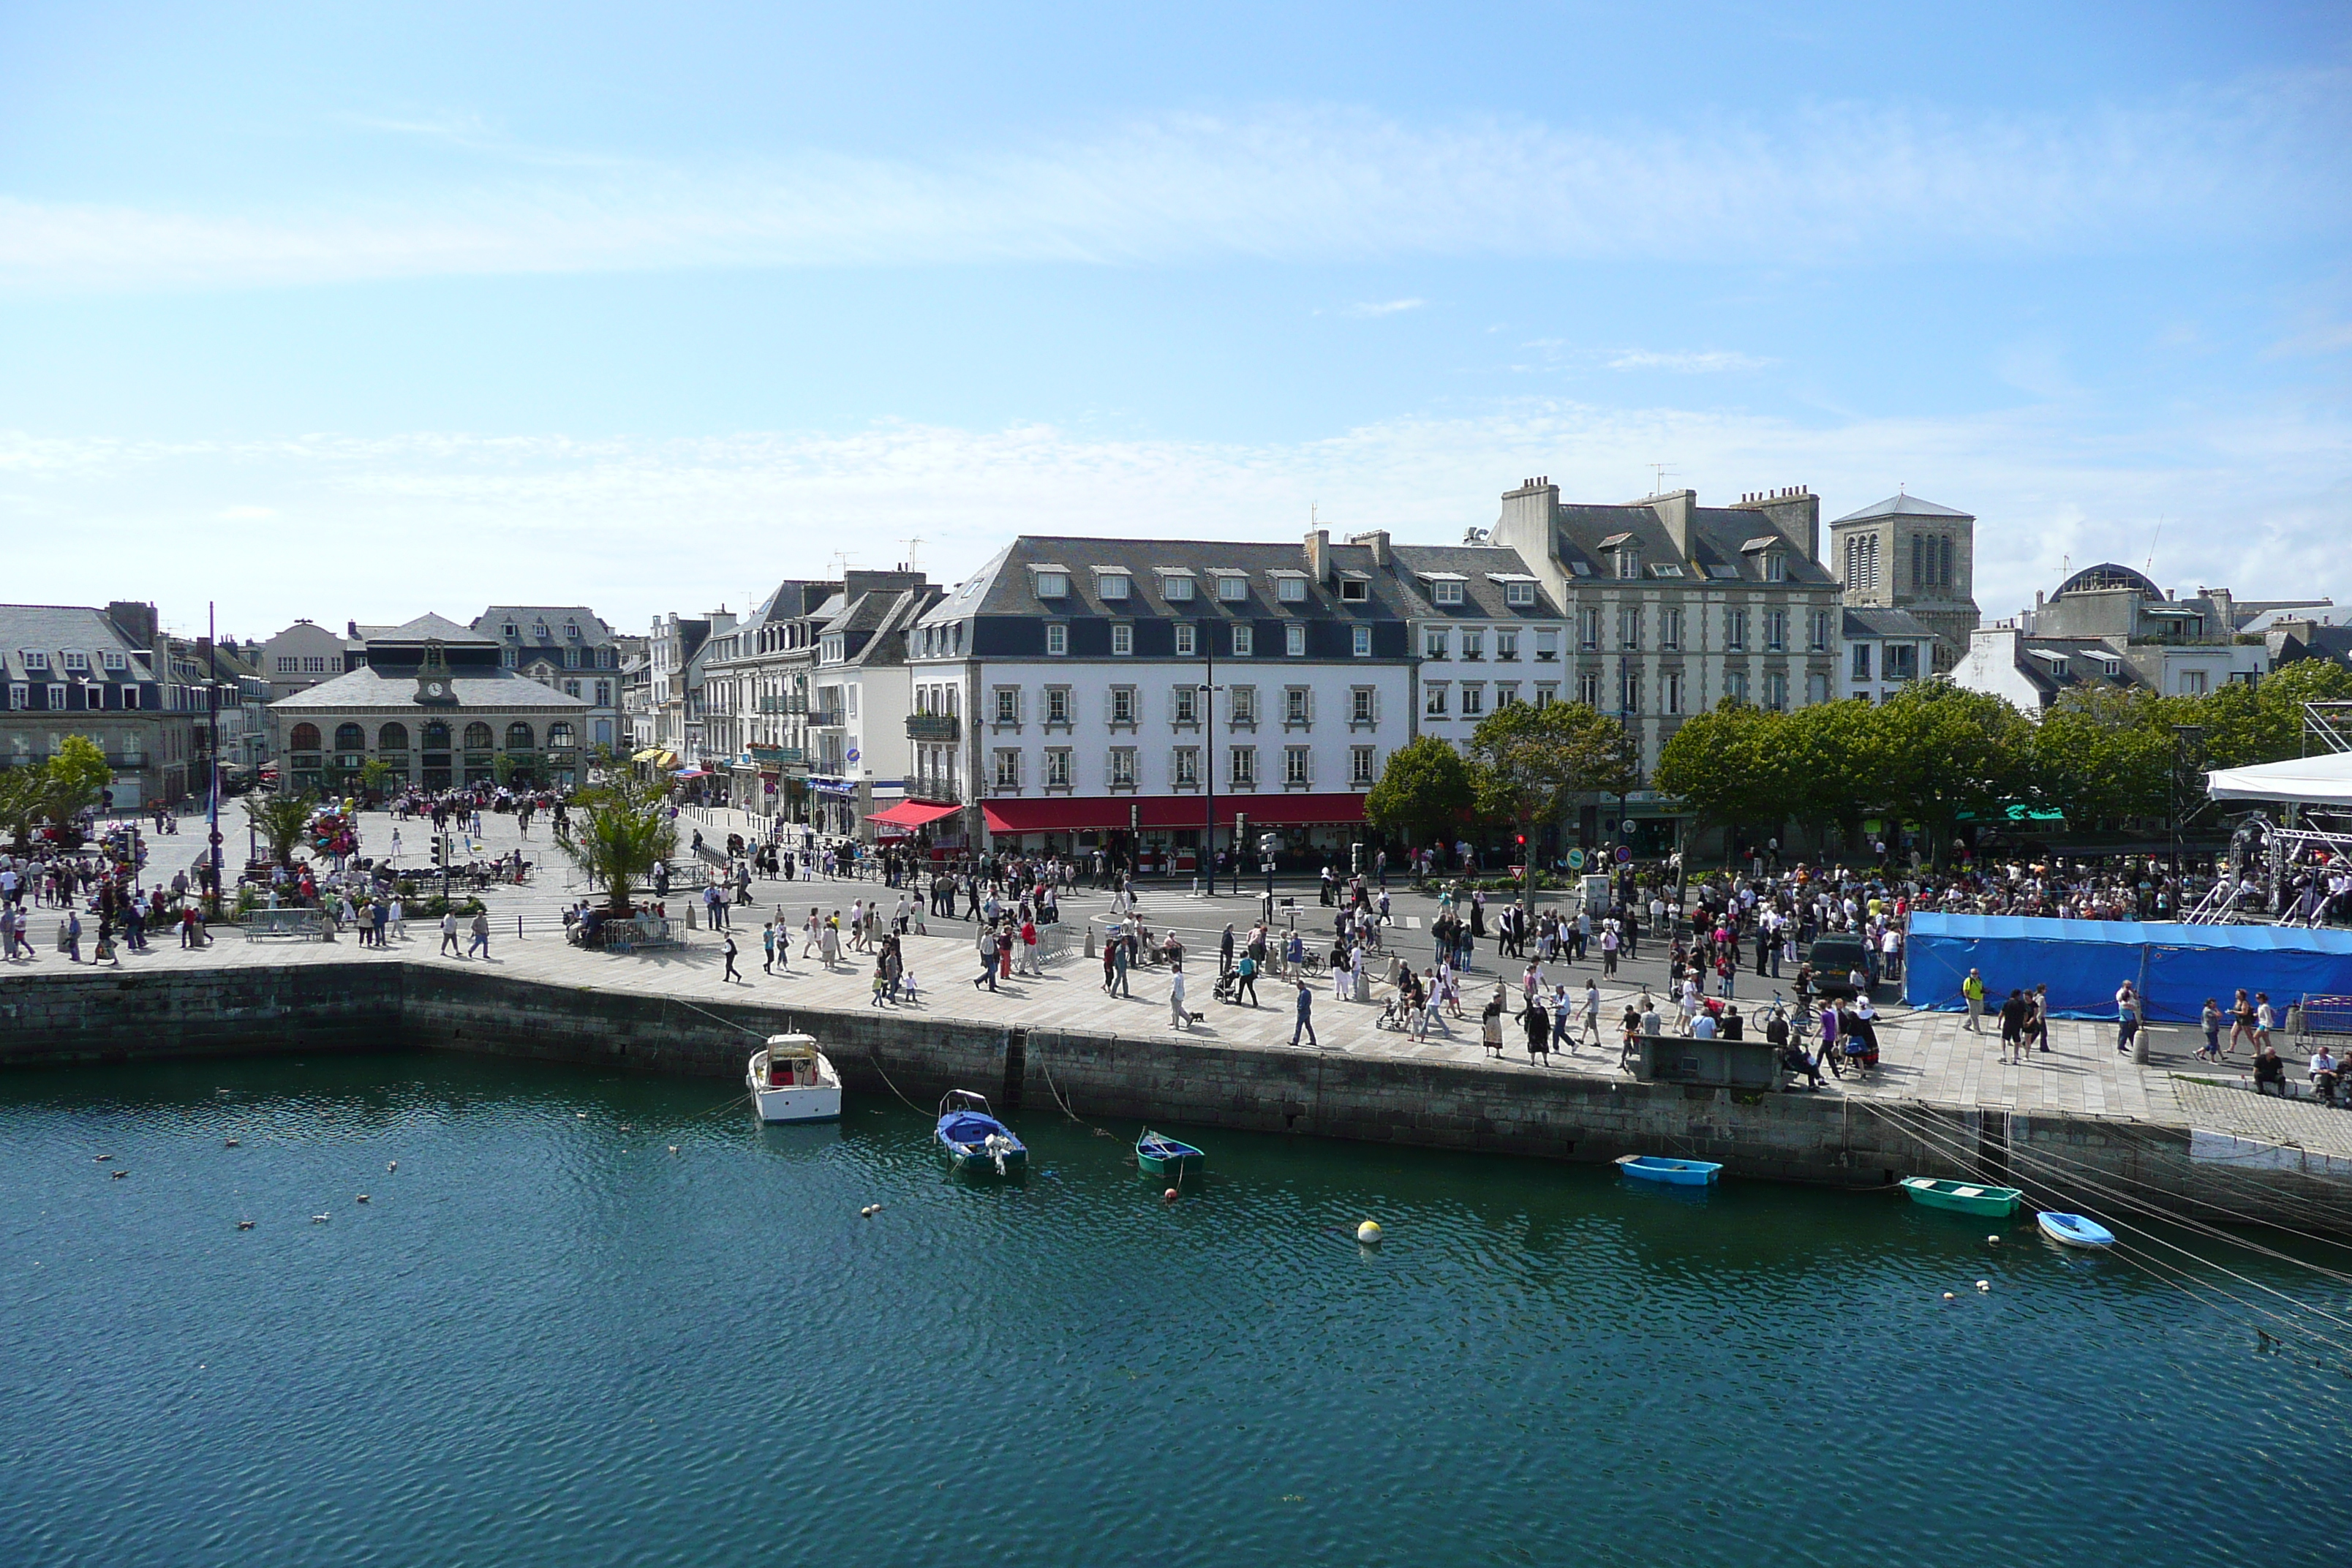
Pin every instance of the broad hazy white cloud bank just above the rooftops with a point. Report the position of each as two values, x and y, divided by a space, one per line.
648 525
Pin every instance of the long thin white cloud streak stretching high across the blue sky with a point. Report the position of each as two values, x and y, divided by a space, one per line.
1325 185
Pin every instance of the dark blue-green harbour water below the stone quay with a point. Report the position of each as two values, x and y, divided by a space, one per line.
552 1341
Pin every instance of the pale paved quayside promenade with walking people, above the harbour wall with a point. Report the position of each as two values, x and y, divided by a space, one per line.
1925 1057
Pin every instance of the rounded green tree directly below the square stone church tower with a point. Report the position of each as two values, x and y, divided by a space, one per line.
1937 751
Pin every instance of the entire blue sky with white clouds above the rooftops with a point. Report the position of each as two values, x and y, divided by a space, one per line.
356 311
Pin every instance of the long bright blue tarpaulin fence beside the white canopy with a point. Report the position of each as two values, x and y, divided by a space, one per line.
2085 960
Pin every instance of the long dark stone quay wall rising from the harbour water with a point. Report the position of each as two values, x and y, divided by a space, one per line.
79 1017
